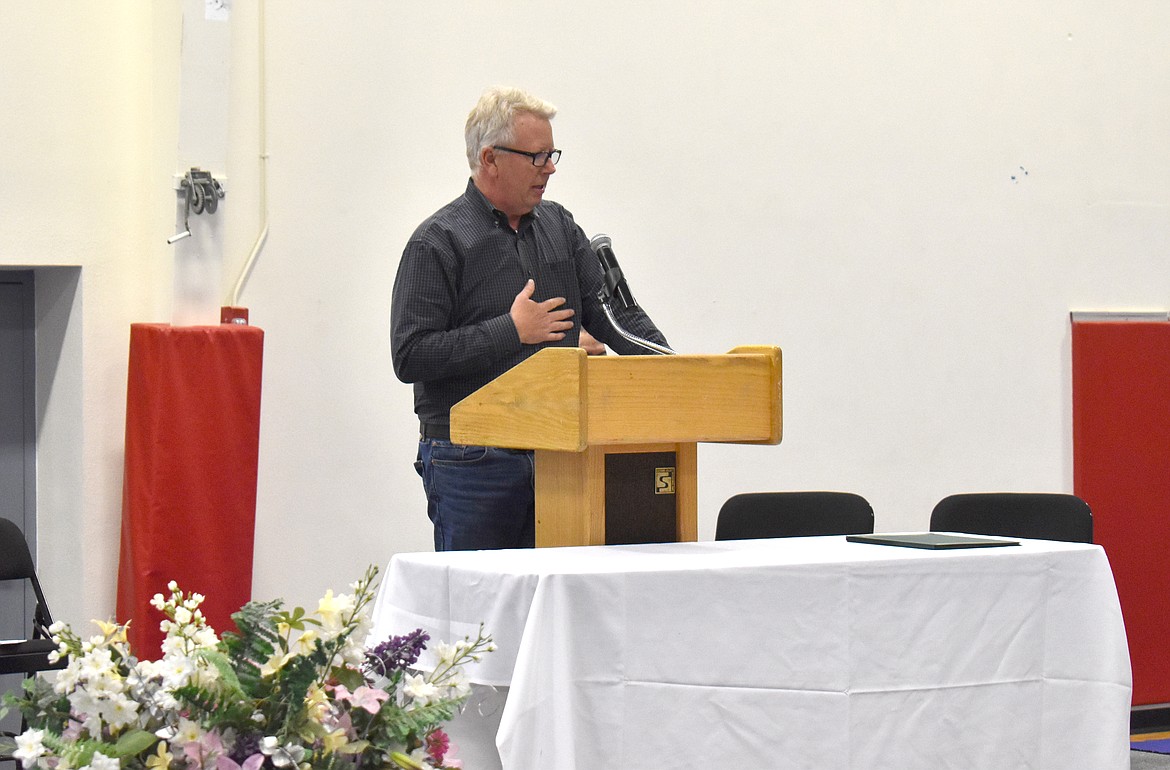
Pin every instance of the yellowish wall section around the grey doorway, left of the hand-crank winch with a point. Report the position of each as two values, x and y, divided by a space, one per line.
79 162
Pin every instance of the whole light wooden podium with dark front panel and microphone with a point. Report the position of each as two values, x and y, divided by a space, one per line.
615 437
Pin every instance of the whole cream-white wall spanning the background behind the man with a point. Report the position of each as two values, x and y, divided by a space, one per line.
834 178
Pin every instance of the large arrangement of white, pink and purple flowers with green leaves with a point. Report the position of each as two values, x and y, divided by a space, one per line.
288 690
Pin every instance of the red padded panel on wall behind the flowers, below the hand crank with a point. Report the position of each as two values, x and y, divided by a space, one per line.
189 498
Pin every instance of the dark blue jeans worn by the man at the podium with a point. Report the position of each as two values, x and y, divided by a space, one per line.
478 498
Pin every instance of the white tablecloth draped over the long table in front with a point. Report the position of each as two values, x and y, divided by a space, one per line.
787 654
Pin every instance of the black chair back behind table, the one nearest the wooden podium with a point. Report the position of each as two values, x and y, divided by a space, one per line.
794 514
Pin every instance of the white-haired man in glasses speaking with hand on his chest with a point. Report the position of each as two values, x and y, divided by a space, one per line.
491 279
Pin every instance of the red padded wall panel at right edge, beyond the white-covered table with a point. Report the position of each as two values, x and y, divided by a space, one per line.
1121 469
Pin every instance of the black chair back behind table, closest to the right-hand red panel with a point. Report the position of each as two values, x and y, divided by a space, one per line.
1008 514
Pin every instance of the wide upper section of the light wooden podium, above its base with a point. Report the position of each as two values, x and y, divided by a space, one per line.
563 400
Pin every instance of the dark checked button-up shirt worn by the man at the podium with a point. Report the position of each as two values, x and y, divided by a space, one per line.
451 329
